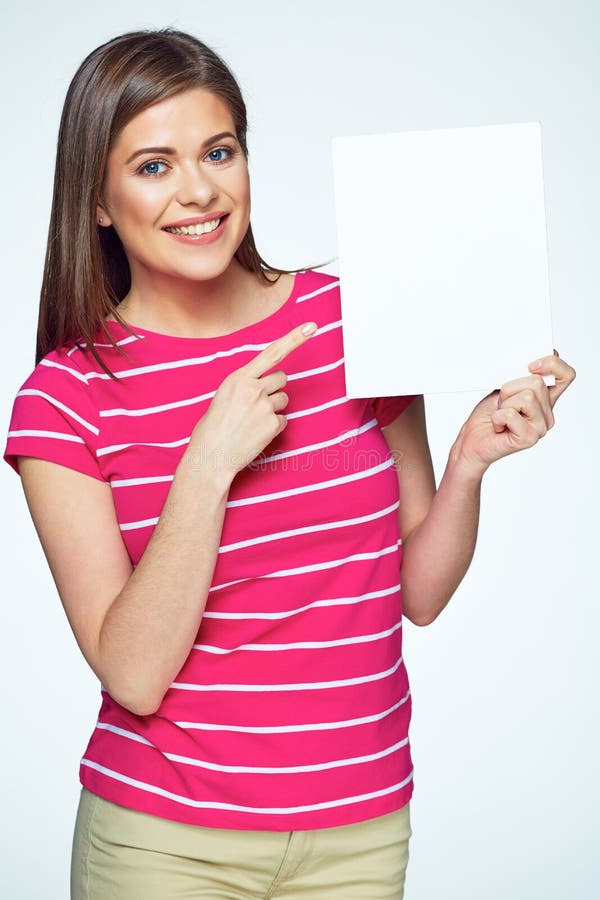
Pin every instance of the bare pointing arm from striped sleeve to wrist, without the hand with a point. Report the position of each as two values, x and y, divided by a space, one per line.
135 627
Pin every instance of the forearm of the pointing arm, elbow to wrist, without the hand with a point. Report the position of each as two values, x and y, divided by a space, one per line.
150 627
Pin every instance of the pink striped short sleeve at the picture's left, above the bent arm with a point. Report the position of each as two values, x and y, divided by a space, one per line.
53 417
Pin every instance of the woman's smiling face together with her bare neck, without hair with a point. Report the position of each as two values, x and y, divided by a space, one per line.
155 195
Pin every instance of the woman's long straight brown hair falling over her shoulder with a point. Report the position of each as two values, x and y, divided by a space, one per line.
86 273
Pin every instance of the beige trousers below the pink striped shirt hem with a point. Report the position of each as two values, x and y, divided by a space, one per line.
122 854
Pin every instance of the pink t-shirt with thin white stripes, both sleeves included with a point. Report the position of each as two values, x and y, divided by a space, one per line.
292 709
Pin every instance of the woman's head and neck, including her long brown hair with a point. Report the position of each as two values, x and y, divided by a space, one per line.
152 140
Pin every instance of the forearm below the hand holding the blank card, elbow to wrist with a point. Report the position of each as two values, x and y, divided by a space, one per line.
437 554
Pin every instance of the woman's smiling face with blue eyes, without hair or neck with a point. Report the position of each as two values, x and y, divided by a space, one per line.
177 168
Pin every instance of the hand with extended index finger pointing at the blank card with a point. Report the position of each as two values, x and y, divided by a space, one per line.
245 412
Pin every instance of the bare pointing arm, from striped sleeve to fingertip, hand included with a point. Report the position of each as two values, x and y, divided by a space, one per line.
136 627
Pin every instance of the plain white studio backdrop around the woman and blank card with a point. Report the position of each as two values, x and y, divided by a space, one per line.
505 723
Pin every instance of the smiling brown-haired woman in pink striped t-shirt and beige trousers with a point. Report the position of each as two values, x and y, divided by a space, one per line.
223 525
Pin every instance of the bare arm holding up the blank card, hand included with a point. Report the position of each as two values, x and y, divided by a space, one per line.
439 528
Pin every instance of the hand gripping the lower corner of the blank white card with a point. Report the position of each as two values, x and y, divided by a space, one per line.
513 418
